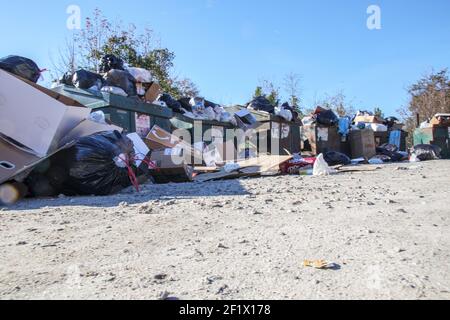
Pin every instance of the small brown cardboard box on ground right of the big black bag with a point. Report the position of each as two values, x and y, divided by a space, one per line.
167 170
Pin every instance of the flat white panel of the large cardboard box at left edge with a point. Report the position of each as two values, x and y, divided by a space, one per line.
34 119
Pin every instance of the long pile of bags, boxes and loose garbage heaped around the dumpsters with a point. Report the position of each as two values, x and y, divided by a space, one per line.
52 145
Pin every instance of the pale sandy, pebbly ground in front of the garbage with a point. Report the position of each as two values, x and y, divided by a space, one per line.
388 233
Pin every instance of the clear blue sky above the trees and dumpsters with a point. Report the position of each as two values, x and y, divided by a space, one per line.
228 46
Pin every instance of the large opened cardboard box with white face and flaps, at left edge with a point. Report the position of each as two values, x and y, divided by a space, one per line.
35 124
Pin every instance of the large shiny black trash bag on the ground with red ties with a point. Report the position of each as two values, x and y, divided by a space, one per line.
91 164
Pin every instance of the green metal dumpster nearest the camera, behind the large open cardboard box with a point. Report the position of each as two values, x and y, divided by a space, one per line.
131 114
